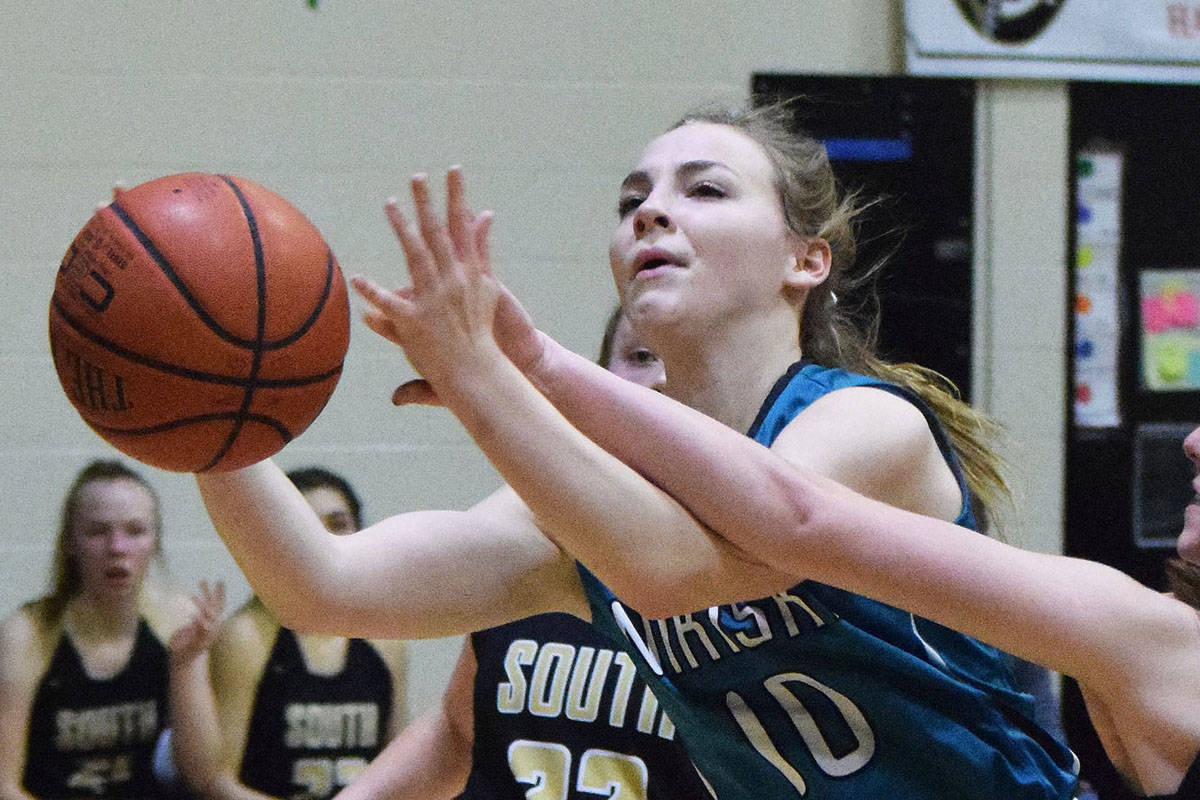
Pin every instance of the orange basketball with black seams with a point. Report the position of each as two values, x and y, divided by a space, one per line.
199 323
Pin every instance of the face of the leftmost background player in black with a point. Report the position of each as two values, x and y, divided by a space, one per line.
115 538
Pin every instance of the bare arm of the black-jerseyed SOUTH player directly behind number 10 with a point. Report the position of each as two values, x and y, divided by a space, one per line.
430 760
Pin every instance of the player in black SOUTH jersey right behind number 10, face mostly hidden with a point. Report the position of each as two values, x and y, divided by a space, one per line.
543 703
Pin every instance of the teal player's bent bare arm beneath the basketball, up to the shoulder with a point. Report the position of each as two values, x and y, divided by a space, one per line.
457 572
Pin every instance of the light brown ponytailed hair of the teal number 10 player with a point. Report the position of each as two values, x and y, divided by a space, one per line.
839 322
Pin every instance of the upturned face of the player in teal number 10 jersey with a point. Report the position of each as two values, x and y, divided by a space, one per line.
701 233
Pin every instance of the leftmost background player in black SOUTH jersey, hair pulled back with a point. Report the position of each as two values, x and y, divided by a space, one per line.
83 670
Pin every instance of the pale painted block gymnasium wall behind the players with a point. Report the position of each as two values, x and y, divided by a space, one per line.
547 105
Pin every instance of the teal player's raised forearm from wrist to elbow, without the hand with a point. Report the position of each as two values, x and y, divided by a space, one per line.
634 537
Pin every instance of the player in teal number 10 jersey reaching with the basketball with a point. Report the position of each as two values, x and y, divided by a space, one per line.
727 244
